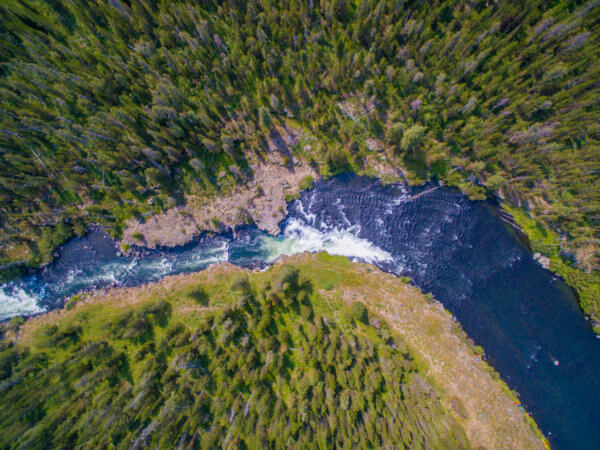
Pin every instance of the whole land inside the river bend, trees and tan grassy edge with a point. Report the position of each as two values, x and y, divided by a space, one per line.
314 351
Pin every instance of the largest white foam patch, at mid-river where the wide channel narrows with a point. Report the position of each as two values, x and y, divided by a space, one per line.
300 237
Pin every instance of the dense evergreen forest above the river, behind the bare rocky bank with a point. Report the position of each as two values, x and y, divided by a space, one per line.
111 109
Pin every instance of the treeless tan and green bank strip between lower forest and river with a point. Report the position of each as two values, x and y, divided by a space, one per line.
472 391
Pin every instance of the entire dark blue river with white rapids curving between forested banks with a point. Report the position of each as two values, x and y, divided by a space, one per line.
526 319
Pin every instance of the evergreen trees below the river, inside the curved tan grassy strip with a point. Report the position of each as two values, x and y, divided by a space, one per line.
258 366
